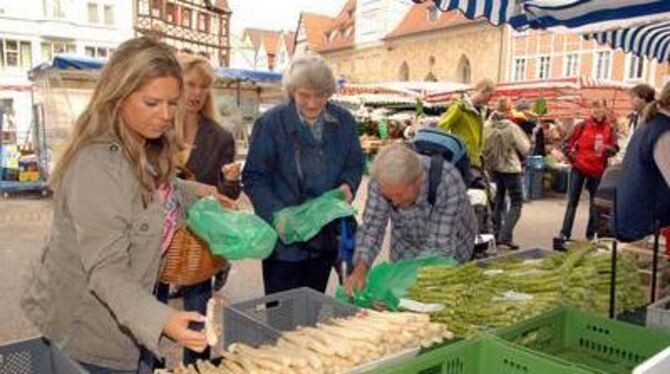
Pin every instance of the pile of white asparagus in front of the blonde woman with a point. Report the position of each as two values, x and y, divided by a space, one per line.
333 347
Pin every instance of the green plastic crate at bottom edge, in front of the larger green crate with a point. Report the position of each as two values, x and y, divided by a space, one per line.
482 355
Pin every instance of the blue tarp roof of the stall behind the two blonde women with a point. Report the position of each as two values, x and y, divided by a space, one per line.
65 62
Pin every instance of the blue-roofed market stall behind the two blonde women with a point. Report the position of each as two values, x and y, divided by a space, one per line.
63 87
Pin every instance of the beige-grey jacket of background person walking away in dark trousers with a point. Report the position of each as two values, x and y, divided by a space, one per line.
505 143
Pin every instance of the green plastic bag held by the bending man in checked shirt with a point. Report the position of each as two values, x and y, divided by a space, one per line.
388 282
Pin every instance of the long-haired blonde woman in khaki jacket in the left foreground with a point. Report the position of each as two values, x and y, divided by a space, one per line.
116 203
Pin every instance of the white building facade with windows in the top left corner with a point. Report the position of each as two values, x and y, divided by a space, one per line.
34 31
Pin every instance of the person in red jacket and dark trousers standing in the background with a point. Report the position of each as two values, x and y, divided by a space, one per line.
590 145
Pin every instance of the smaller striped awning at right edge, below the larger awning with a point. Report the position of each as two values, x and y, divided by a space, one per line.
651 40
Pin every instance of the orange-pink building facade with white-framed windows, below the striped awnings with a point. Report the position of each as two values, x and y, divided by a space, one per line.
540 55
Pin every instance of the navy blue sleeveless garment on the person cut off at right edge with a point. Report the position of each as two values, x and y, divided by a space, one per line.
642 196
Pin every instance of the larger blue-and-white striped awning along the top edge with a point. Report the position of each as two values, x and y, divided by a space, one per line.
542 14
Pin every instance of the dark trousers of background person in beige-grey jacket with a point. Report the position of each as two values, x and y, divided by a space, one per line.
507 183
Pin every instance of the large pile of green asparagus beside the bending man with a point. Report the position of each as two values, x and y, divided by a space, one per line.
505 292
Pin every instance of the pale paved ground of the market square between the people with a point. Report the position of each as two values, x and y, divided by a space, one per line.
24 221
